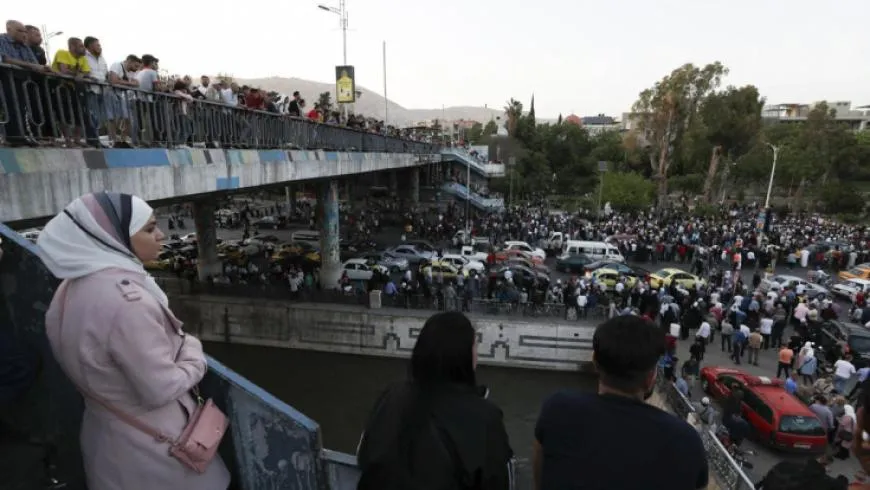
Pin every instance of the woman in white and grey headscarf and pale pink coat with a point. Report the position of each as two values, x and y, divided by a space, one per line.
111 331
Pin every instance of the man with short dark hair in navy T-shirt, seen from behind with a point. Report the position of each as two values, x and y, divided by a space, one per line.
613 439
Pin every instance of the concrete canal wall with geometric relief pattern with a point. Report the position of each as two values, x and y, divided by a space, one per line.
503 341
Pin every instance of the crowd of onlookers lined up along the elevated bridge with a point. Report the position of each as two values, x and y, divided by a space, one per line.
117 112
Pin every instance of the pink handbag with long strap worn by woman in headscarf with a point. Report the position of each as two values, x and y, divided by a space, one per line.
198 443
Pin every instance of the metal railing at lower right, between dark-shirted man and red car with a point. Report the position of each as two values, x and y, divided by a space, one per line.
725 470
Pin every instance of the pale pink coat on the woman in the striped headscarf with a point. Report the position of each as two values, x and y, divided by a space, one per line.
120 343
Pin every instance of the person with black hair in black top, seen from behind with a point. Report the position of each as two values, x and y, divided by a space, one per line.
437 430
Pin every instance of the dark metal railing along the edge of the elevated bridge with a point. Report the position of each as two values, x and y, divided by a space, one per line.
39 109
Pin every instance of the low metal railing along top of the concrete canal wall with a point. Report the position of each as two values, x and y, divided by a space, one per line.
357 297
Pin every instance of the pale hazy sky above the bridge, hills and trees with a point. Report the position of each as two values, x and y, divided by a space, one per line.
576 56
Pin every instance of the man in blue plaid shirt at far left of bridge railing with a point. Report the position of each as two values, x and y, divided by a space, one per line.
15 51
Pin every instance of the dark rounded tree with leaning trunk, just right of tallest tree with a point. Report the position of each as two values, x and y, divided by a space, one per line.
731 122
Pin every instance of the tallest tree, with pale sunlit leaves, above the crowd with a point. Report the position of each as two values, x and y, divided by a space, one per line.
665 111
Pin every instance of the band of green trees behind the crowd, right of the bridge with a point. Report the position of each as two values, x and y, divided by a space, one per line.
692 137
